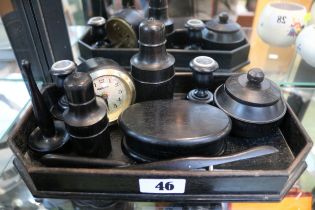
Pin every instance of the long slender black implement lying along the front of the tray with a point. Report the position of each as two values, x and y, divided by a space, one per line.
56 160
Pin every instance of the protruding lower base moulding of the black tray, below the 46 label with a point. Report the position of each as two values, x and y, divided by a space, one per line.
135 197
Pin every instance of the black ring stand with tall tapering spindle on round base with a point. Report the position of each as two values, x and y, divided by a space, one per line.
49 135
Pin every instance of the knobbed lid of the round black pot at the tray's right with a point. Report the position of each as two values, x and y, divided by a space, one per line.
253 89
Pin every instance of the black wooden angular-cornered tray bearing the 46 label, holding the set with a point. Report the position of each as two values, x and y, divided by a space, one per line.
265 178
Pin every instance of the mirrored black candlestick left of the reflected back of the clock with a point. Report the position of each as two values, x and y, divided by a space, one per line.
98 31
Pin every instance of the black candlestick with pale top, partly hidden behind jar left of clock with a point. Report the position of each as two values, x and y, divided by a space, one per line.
59 71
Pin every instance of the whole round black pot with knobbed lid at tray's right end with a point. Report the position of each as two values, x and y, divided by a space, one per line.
254 103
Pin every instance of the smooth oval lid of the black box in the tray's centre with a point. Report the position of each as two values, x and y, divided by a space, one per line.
174 123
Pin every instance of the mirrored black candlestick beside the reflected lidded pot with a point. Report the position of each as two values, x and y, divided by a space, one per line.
194 27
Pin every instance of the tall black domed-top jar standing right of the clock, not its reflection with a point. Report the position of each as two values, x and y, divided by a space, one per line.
152 68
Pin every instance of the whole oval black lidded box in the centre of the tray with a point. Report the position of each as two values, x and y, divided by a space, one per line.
166 129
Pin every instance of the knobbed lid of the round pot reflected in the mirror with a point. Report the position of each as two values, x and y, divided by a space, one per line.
223 24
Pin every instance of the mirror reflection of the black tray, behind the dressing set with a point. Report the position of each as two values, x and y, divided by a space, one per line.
228 60
